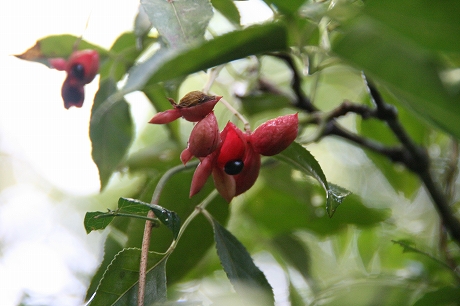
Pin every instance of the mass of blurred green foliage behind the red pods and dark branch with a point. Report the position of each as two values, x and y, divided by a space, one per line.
408 48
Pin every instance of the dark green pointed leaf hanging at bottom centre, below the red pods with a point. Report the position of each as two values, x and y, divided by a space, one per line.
238 264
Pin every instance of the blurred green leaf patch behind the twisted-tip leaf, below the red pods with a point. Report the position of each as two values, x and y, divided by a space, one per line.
283 205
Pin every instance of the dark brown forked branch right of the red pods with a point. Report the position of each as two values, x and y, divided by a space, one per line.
414 157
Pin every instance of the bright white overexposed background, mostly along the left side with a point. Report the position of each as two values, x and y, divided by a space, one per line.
47 177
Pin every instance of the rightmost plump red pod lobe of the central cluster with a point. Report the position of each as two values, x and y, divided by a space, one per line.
275 135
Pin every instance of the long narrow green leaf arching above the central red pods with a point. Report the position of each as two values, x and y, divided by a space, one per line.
167 65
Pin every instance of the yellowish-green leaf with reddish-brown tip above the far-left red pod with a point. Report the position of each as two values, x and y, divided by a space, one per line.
57 46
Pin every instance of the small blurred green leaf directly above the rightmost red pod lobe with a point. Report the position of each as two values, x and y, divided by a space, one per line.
257 103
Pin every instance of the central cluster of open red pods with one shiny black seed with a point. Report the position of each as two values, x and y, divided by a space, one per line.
231 156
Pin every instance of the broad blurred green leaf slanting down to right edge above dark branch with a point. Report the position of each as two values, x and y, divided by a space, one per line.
410 72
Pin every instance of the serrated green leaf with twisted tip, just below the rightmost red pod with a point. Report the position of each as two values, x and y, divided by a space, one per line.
299 158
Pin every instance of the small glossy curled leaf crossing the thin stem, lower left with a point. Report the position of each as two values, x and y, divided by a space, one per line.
167 217
